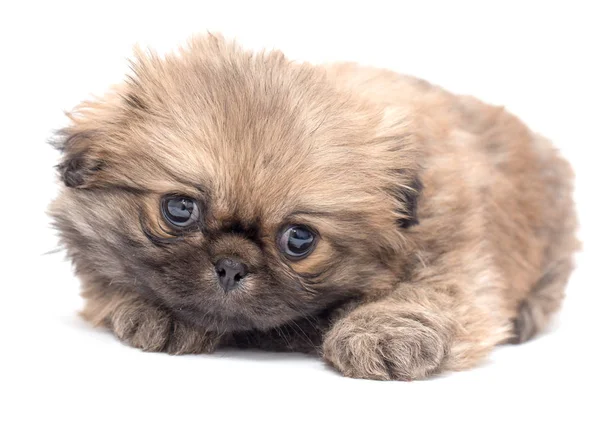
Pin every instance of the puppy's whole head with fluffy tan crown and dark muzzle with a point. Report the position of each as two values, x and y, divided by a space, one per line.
241 191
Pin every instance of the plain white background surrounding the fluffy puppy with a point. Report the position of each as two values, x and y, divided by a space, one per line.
540 60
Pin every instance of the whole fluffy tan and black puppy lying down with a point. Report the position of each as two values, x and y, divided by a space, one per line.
219 197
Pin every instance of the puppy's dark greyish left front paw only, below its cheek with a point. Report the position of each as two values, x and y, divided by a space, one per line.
152 329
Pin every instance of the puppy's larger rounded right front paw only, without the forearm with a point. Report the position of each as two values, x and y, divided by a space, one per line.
387 346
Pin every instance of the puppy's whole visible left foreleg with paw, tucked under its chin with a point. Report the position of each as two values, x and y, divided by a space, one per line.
142 324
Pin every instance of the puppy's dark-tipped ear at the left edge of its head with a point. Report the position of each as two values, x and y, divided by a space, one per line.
79 164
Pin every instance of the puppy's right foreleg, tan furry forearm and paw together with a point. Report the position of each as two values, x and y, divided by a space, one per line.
418 330
